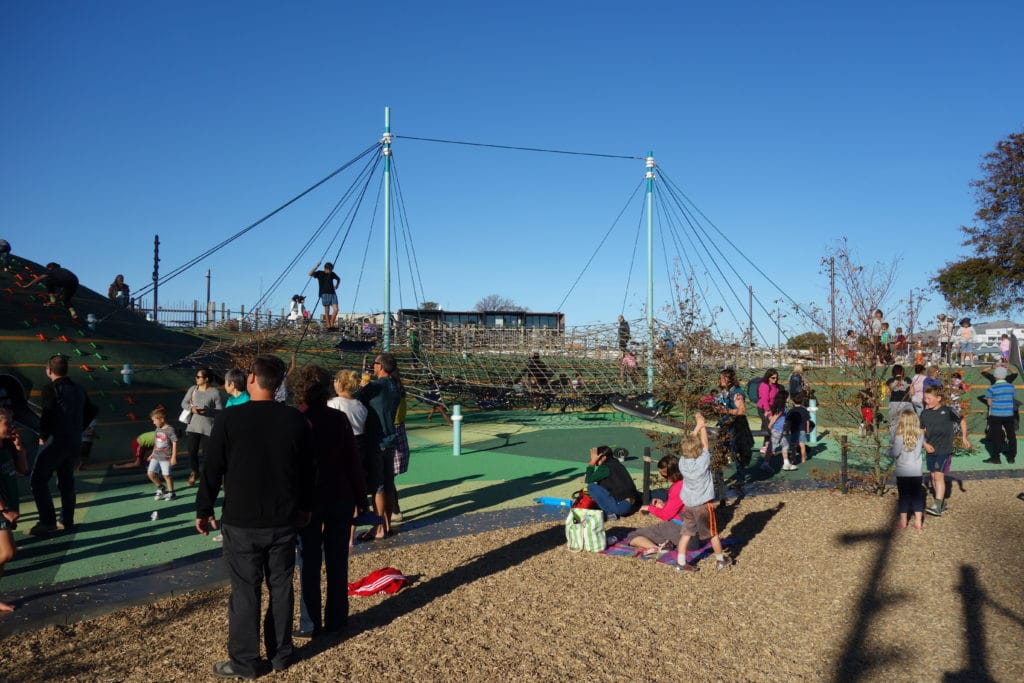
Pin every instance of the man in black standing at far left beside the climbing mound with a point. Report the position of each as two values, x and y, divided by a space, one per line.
67 411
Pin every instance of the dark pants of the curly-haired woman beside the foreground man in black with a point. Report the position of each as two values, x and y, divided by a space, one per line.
325 541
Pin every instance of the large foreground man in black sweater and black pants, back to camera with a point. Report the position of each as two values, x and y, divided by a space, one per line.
263 454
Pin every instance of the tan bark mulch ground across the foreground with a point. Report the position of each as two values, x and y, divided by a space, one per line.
824 589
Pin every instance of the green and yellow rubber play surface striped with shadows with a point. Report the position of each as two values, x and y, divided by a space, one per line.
507 460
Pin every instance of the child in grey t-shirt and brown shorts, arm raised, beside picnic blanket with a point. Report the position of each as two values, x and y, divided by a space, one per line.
699 497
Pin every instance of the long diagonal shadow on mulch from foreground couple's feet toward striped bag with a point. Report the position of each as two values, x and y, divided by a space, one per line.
420 595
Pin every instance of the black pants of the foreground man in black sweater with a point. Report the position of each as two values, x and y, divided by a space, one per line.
252 557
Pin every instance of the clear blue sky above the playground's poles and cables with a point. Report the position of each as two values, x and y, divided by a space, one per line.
790 125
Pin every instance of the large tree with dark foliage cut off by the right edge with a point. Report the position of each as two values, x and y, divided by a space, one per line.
993 280
